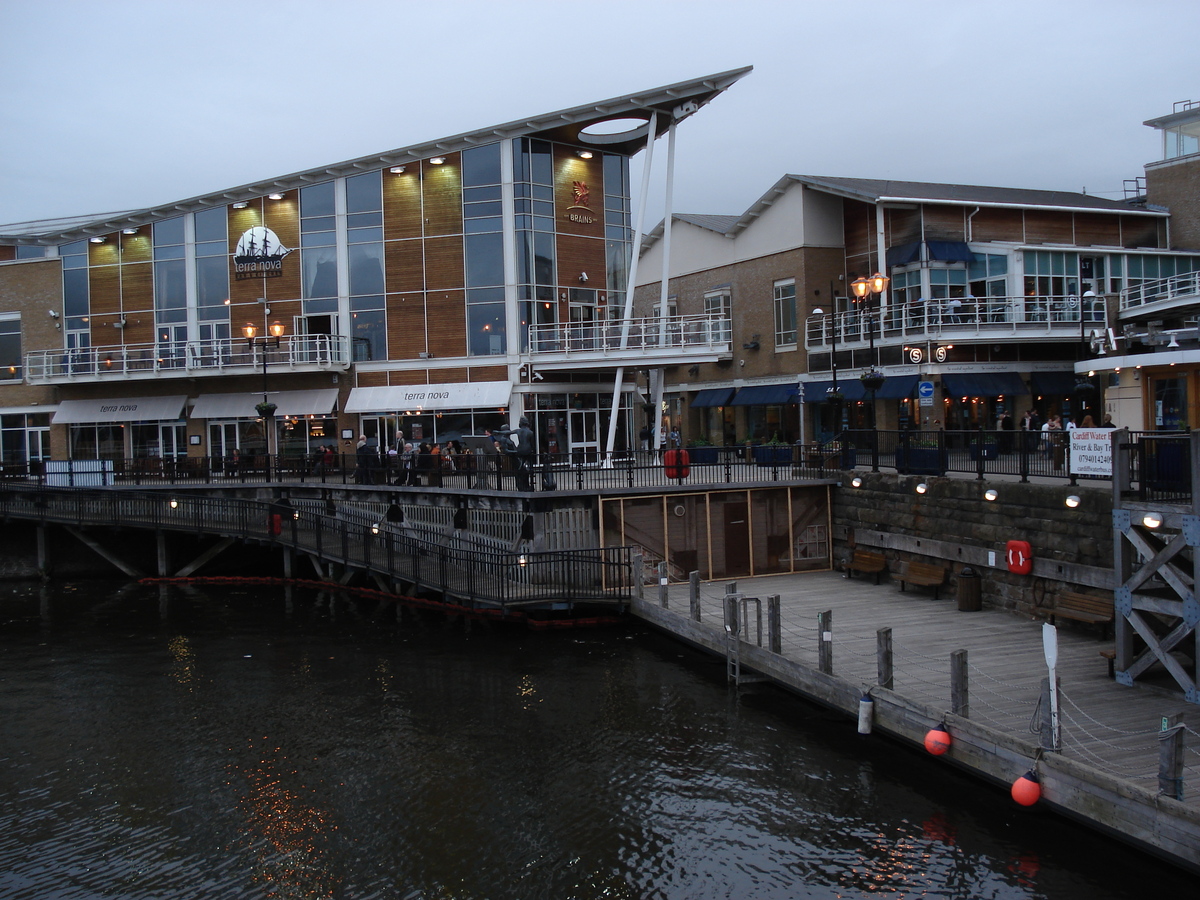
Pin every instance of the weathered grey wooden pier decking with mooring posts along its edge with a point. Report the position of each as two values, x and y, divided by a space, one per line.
1107 773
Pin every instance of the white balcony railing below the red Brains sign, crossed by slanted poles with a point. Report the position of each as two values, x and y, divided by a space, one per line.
638 337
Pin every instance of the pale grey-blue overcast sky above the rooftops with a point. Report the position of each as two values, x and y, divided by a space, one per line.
112 106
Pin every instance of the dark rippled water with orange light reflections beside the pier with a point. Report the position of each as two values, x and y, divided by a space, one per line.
237 743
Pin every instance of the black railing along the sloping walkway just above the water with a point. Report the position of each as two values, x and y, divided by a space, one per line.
451 566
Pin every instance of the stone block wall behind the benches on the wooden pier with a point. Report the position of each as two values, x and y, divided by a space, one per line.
953 525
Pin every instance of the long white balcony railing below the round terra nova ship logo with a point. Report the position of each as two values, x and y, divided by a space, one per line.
188 358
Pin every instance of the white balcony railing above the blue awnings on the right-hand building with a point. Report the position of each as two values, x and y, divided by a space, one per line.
944 320
